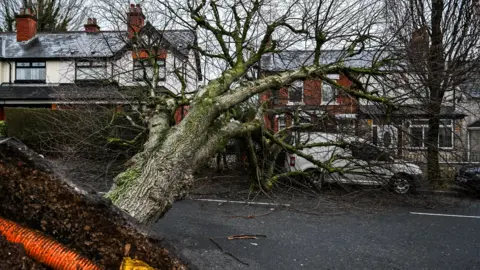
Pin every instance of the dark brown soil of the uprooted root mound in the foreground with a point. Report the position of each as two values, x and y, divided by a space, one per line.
33 195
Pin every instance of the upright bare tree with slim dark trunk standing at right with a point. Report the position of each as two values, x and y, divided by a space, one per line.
437 44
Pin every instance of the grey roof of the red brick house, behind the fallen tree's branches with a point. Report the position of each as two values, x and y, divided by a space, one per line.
289 60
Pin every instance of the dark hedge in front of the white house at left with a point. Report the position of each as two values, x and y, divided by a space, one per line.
86 132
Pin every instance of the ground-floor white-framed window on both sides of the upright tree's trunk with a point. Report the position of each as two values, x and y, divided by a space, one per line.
419 129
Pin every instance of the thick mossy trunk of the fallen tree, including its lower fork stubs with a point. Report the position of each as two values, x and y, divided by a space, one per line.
163 171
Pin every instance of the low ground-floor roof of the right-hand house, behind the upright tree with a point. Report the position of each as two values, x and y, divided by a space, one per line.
409 111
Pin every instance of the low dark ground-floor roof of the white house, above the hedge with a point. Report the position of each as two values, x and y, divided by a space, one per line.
68 92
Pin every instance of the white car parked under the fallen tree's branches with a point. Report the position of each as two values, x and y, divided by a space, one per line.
360 162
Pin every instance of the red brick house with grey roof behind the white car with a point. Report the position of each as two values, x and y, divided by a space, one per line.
313 101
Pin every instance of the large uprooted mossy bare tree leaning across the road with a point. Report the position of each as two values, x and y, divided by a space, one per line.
232 38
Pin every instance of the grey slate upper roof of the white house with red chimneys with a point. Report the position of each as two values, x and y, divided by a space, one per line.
81 44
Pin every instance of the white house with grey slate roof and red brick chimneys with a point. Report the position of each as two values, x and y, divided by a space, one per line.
61 69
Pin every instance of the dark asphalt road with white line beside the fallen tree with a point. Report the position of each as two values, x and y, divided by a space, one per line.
398 238
